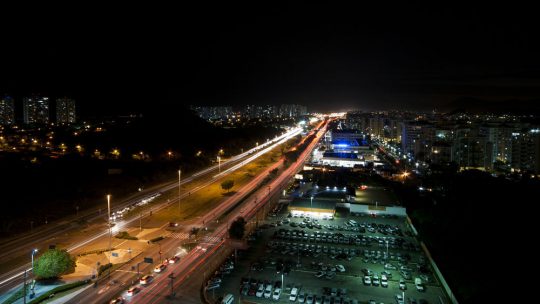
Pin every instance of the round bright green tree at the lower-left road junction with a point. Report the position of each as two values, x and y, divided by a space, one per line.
53 263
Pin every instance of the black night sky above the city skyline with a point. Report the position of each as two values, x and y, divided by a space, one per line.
326 57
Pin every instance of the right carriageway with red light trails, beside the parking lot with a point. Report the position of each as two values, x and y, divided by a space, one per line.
189 272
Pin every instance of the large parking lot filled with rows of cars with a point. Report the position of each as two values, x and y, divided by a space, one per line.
352 259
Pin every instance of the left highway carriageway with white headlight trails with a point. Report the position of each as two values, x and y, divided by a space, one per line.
13 249
